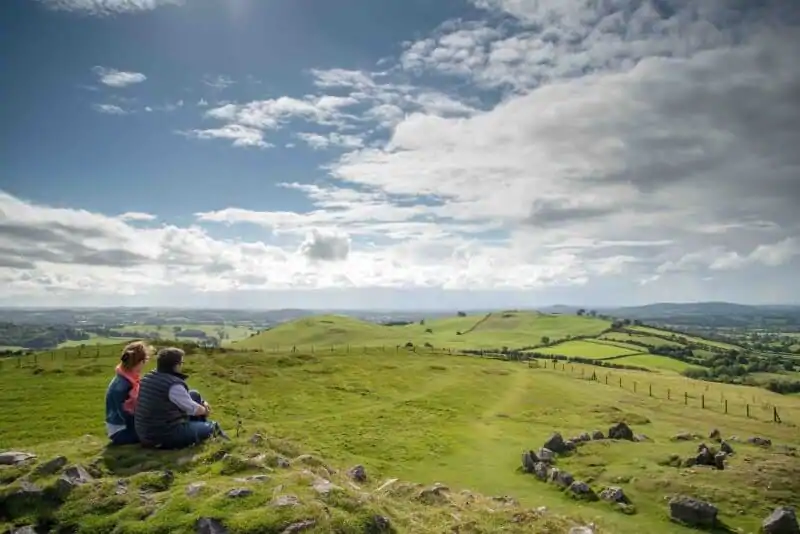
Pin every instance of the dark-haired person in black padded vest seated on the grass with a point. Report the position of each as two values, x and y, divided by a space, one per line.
168 414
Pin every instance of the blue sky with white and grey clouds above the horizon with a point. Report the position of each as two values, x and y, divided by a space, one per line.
398 153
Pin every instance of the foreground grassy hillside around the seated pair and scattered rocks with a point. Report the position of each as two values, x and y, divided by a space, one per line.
425 417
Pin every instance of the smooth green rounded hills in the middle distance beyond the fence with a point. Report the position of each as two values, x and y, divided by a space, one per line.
511 329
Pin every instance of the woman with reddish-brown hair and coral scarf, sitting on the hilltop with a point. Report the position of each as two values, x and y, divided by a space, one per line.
123 392
